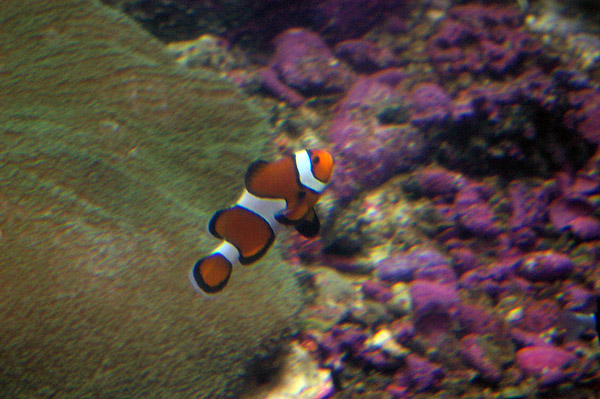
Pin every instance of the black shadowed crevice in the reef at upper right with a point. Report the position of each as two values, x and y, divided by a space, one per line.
525 142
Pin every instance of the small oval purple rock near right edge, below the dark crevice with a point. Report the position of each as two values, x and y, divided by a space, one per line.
545 266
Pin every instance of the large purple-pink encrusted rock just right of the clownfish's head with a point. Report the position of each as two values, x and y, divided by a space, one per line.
370 149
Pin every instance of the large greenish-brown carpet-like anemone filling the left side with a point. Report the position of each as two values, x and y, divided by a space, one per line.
111 162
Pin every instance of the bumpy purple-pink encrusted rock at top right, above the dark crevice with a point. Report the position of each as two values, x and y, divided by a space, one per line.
479 38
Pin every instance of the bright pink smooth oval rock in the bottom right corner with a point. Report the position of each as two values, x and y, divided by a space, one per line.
547 363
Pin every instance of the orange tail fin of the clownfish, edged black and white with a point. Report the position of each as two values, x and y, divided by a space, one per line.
210 274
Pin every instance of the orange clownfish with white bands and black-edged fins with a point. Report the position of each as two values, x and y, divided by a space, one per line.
276 194
